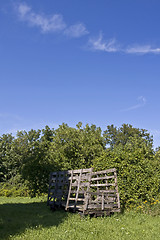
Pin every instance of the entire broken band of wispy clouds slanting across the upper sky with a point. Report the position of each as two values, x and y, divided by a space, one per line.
55 23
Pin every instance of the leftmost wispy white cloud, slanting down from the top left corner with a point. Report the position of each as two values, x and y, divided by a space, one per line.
46 23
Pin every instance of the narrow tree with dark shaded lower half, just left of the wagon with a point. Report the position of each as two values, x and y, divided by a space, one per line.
36 168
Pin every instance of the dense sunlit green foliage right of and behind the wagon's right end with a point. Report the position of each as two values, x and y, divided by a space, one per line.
138 170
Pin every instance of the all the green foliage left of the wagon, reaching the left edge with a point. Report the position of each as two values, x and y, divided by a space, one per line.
24 156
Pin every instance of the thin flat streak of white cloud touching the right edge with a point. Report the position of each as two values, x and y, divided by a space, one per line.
142 50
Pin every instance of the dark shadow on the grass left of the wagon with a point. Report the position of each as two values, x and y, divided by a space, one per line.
16 217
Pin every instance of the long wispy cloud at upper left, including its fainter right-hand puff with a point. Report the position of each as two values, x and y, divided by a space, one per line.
54 23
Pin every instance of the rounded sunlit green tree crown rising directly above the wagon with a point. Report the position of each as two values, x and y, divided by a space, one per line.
73 148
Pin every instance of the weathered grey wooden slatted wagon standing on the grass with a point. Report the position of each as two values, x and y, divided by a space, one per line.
85 191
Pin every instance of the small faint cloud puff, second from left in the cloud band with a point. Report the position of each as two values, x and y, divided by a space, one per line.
76 30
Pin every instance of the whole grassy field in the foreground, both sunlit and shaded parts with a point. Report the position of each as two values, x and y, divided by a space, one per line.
26 218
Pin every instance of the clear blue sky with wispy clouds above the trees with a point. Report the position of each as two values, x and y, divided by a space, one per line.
69 61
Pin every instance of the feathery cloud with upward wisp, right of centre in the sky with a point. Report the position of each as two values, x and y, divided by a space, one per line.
100 44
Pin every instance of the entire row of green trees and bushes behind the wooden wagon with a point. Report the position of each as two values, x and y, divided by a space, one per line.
27 158
